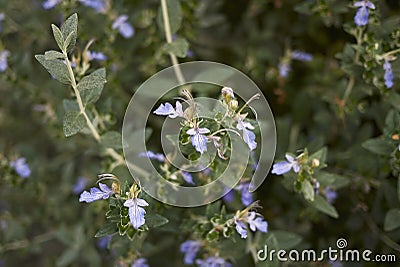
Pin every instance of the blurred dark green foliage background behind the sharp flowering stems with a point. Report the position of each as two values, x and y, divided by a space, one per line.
42 223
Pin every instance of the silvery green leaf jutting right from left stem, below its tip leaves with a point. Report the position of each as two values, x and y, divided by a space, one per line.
91 86
